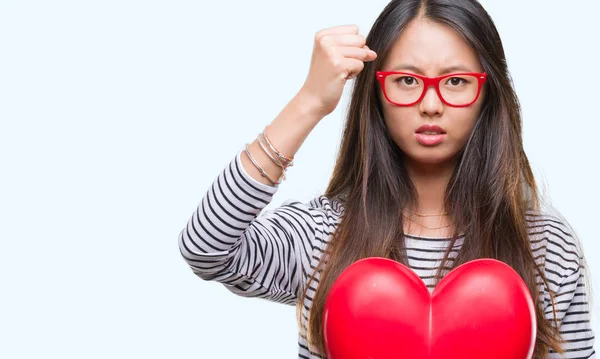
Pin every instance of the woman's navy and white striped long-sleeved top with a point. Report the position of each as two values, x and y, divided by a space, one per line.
271 254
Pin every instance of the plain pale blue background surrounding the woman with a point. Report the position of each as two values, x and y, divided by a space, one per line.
116 118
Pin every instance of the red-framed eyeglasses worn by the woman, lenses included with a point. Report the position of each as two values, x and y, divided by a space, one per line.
456 90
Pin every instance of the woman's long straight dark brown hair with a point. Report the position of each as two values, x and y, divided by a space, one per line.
489 193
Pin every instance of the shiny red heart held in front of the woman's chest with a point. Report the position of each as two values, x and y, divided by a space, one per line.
380 309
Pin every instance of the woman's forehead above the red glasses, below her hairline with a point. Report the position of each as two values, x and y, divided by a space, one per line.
432 47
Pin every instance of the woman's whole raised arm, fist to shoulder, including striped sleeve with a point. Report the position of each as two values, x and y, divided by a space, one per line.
226 240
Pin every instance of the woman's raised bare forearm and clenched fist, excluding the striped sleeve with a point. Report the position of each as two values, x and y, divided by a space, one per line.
339 54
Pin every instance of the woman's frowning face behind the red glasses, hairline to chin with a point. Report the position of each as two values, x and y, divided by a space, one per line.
428 48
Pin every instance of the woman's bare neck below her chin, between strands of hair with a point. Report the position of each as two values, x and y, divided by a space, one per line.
430 181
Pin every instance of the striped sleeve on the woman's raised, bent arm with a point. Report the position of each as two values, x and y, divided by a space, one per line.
253 252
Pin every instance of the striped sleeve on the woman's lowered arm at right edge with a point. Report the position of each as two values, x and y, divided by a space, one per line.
565 270
